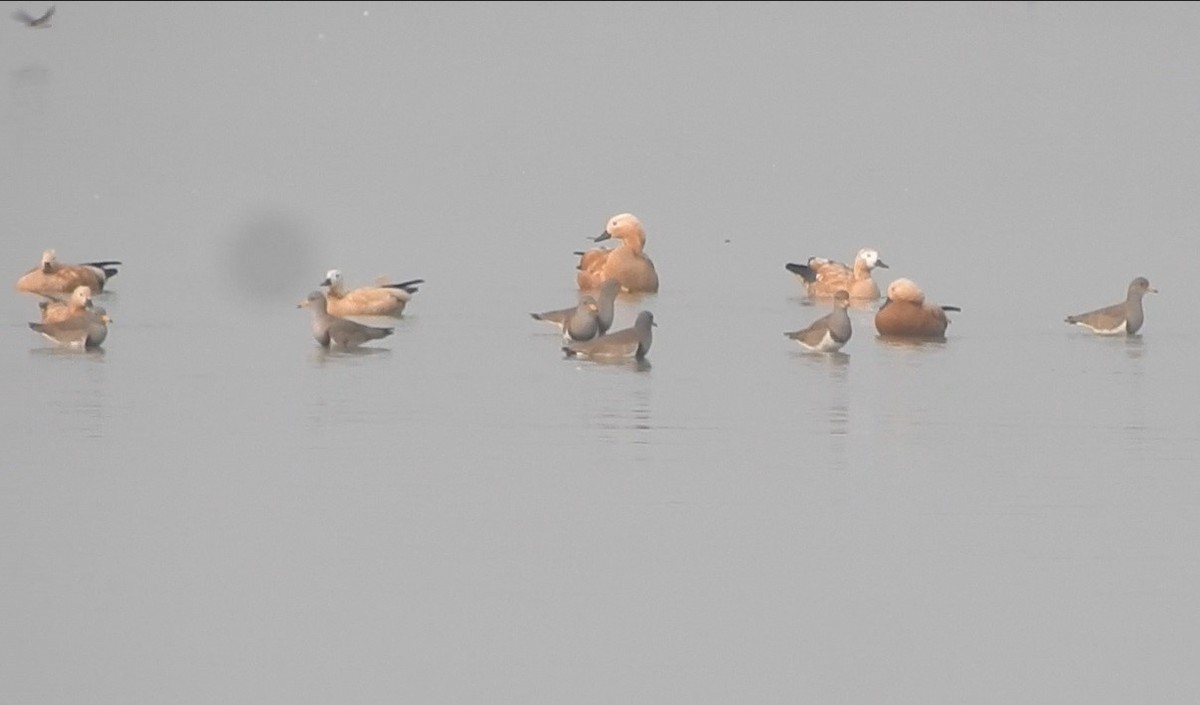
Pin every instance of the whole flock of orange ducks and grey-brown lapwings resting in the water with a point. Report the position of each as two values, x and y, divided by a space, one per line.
69 317
